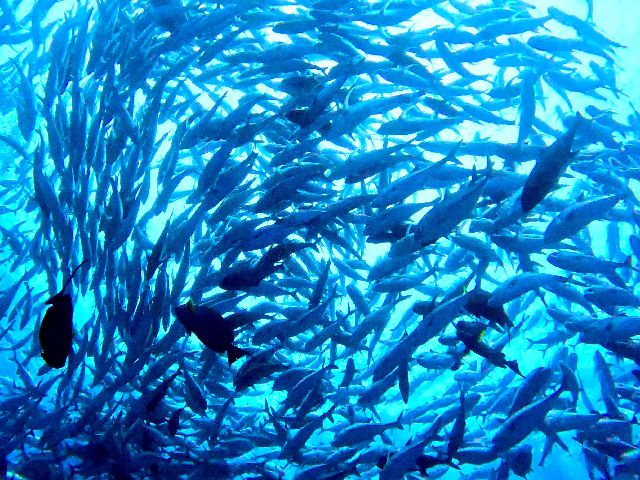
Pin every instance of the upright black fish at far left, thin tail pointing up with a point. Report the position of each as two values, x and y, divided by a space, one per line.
56 330
